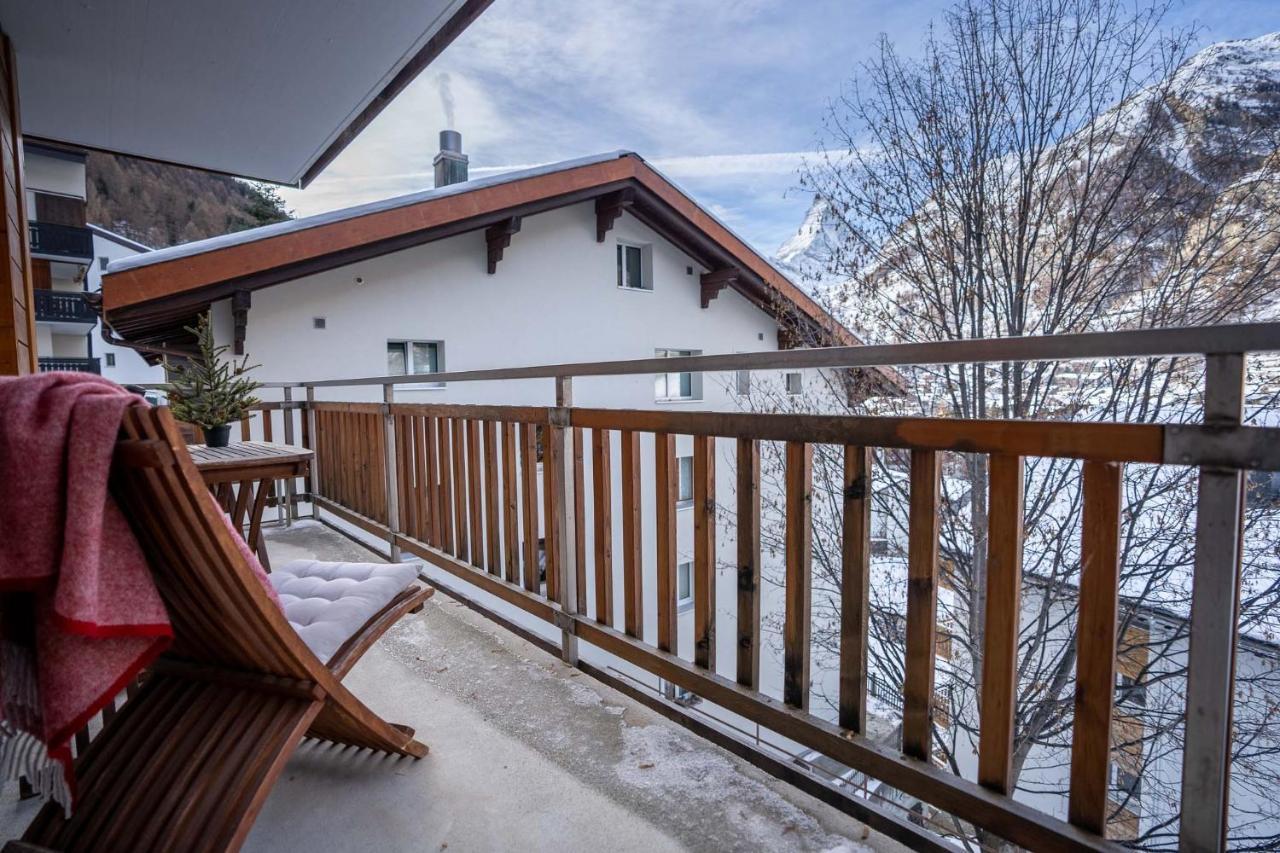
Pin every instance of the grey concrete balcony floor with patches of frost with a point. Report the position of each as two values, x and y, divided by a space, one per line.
527 754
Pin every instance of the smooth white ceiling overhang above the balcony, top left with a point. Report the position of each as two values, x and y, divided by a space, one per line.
262 89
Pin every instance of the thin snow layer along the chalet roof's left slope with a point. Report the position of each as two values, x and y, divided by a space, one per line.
276 230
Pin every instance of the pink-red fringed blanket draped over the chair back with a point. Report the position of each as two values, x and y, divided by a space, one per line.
80 615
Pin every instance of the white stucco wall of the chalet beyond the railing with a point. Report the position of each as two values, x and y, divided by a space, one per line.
554 299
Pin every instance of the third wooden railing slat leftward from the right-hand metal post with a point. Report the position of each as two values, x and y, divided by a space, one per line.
922 605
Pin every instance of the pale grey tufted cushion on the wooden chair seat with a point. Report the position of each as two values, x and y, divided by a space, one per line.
328 603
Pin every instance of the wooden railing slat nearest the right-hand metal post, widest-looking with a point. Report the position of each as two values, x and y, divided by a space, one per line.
1096 646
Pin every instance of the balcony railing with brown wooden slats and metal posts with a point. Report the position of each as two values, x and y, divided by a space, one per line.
459 487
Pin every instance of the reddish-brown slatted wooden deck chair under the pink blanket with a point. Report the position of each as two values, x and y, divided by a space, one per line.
189 763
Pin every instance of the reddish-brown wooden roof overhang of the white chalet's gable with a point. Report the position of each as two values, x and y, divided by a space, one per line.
152 304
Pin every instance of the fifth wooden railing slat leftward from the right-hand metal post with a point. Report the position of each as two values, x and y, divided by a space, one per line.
799 546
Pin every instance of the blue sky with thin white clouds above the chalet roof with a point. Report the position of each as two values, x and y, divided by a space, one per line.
725 97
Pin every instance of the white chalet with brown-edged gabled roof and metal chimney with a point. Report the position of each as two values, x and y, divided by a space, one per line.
596 259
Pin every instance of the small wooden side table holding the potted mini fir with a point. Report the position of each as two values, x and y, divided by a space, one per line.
243 478
